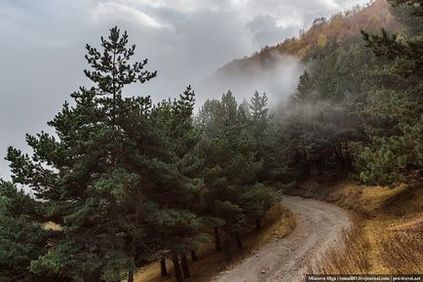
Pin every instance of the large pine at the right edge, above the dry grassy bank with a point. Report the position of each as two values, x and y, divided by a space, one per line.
393 113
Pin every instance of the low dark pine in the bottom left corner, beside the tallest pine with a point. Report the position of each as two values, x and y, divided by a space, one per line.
22 238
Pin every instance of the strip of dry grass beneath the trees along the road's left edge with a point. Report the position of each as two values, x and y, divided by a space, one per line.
277 223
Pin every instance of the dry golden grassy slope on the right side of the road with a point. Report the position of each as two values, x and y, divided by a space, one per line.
388 232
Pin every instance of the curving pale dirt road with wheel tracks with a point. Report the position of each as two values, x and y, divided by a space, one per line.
319 227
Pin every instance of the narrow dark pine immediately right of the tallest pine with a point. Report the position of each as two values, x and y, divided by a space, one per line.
176 224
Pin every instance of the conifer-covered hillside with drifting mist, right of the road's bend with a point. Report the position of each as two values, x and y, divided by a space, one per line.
361 110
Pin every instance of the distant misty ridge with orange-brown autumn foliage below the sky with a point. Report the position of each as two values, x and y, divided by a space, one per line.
372 17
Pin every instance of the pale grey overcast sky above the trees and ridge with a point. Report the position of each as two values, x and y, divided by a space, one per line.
42 46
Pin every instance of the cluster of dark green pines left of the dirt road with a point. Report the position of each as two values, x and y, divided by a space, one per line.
129 181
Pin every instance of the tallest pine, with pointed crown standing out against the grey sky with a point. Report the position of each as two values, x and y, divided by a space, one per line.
93 174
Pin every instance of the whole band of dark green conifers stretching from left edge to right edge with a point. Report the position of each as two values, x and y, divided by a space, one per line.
130 182
